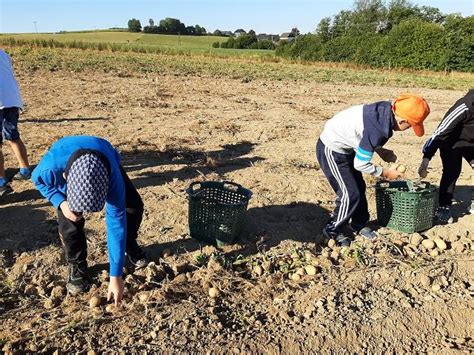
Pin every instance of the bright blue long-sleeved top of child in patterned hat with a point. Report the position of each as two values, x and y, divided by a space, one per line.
49 180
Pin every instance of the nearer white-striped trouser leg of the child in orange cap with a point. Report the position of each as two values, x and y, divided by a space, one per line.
338 169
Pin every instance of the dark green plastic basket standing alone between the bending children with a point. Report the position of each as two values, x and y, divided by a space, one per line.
217 211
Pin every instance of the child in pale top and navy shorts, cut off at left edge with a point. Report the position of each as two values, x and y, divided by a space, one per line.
10 105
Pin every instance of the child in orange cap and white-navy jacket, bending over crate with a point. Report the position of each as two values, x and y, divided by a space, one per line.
345 149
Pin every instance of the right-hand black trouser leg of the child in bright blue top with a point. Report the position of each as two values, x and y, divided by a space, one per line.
134 205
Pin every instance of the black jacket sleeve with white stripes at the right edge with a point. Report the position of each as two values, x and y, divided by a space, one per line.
451 121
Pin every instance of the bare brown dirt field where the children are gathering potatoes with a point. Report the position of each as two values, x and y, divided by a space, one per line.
172 130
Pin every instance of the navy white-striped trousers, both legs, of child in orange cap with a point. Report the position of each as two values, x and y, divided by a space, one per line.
348 184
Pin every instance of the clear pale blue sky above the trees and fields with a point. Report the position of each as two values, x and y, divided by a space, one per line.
269 16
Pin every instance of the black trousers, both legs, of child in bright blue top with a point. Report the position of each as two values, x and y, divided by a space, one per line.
72 233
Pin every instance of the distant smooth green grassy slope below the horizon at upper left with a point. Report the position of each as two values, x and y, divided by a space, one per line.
195 44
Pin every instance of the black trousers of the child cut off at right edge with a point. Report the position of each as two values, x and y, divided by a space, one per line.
452 165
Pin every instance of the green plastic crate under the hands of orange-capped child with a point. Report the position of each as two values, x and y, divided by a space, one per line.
406 206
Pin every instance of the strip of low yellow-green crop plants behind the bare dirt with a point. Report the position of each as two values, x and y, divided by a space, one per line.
246 68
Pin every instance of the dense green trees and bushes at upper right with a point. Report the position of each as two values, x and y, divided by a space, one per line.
396 34
